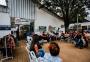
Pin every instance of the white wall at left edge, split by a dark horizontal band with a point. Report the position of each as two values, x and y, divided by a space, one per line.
4 20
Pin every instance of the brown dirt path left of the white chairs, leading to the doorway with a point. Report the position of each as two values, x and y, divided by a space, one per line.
20 54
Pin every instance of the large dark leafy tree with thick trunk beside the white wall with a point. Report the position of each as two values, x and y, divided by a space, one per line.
68 8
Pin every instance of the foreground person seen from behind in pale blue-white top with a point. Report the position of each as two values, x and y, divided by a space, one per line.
53 56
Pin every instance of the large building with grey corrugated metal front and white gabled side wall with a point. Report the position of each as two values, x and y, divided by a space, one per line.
25 15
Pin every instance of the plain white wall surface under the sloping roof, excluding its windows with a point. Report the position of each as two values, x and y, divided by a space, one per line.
45 19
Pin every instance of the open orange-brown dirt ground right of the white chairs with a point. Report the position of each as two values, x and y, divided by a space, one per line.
69 53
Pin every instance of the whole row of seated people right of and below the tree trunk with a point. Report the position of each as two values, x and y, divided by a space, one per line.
80 39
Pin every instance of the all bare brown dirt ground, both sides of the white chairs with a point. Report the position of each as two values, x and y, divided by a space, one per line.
68 53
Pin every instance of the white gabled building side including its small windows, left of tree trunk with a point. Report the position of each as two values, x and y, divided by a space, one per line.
46 21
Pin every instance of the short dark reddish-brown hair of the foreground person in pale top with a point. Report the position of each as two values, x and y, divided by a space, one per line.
54 49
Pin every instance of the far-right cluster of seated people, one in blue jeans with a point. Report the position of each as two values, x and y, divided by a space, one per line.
80 39
